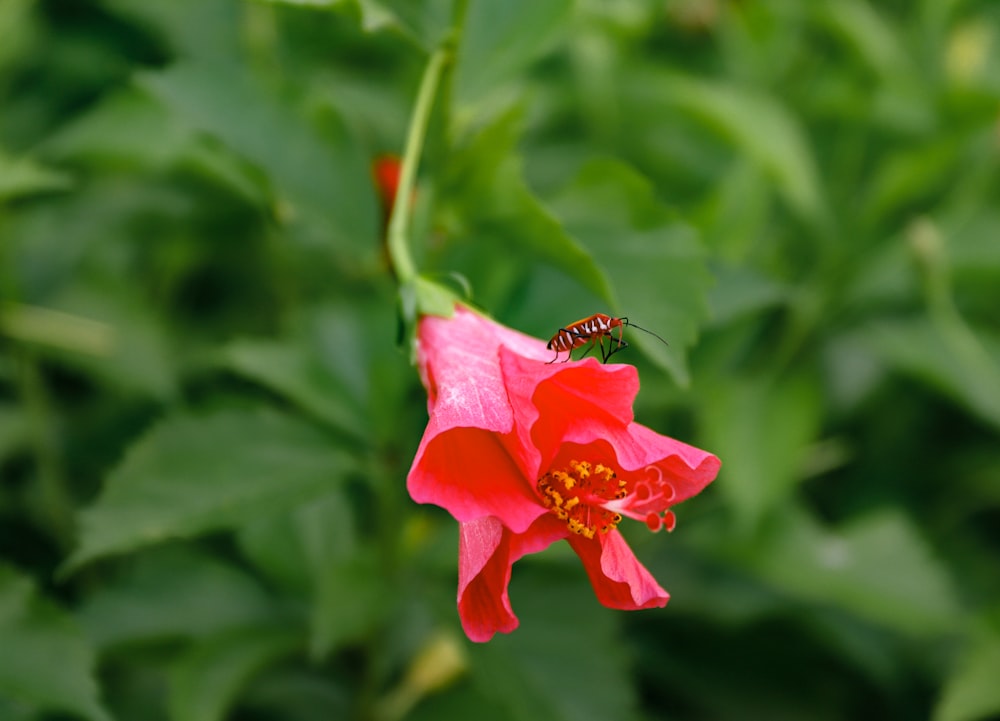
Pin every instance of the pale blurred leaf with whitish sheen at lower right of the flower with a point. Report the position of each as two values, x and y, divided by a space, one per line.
878 567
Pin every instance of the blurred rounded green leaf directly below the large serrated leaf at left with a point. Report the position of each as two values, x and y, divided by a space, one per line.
174 593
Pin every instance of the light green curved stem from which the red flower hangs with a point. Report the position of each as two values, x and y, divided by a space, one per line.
399 224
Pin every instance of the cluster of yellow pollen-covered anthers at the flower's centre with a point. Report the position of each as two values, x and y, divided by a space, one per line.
578 495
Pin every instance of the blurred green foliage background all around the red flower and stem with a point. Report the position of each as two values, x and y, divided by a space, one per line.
207 413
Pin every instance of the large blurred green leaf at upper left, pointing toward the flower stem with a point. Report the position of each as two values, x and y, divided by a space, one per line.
320 181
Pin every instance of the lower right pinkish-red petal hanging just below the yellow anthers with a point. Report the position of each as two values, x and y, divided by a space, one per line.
619 580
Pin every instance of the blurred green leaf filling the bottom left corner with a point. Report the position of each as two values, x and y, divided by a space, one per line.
46 661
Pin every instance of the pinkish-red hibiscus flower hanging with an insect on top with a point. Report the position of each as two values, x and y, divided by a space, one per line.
523 453
